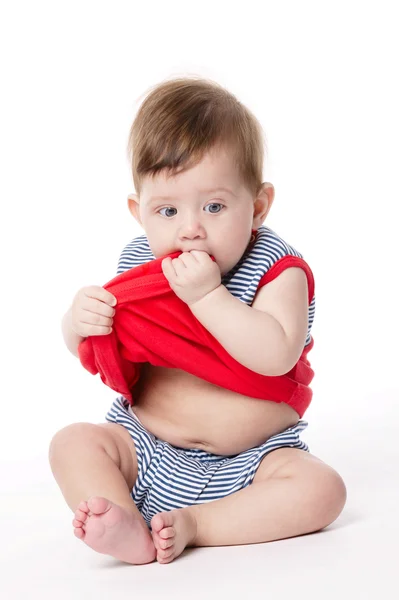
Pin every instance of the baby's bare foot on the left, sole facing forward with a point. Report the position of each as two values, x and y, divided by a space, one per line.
112 529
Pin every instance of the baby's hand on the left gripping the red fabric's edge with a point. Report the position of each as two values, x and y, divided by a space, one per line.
92 311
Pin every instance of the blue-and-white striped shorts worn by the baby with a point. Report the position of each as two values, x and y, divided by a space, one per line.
170 477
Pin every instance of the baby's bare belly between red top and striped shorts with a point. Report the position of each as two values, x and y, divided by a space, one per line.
189 412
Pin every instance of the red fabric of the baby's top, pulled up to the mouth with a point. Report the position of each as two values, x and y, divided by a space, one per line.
151 324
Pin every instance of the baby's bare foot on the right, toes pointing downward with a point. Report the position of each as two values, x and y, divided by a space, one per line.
172 531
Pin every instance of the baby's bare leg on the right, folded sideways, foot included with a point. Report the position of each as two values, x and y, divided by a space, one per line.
293 493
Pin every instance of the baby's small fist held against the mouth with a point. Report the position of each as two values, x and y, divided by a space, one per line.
192 275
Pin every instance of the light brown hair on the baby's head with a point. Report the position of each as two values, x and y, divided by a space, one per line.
182 119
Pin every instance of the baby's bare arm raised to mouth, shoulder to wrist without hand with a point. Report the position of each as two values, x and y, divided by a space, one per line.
267 337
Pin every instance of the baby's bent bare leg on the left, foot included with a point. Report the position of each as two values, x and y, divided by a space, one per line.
95 467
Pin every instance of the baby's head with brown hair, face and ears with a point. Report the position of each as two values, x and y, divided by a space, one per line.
190 139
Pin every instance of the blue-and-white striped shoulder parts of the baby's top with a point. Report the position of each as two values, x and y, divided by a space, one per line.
243 280
